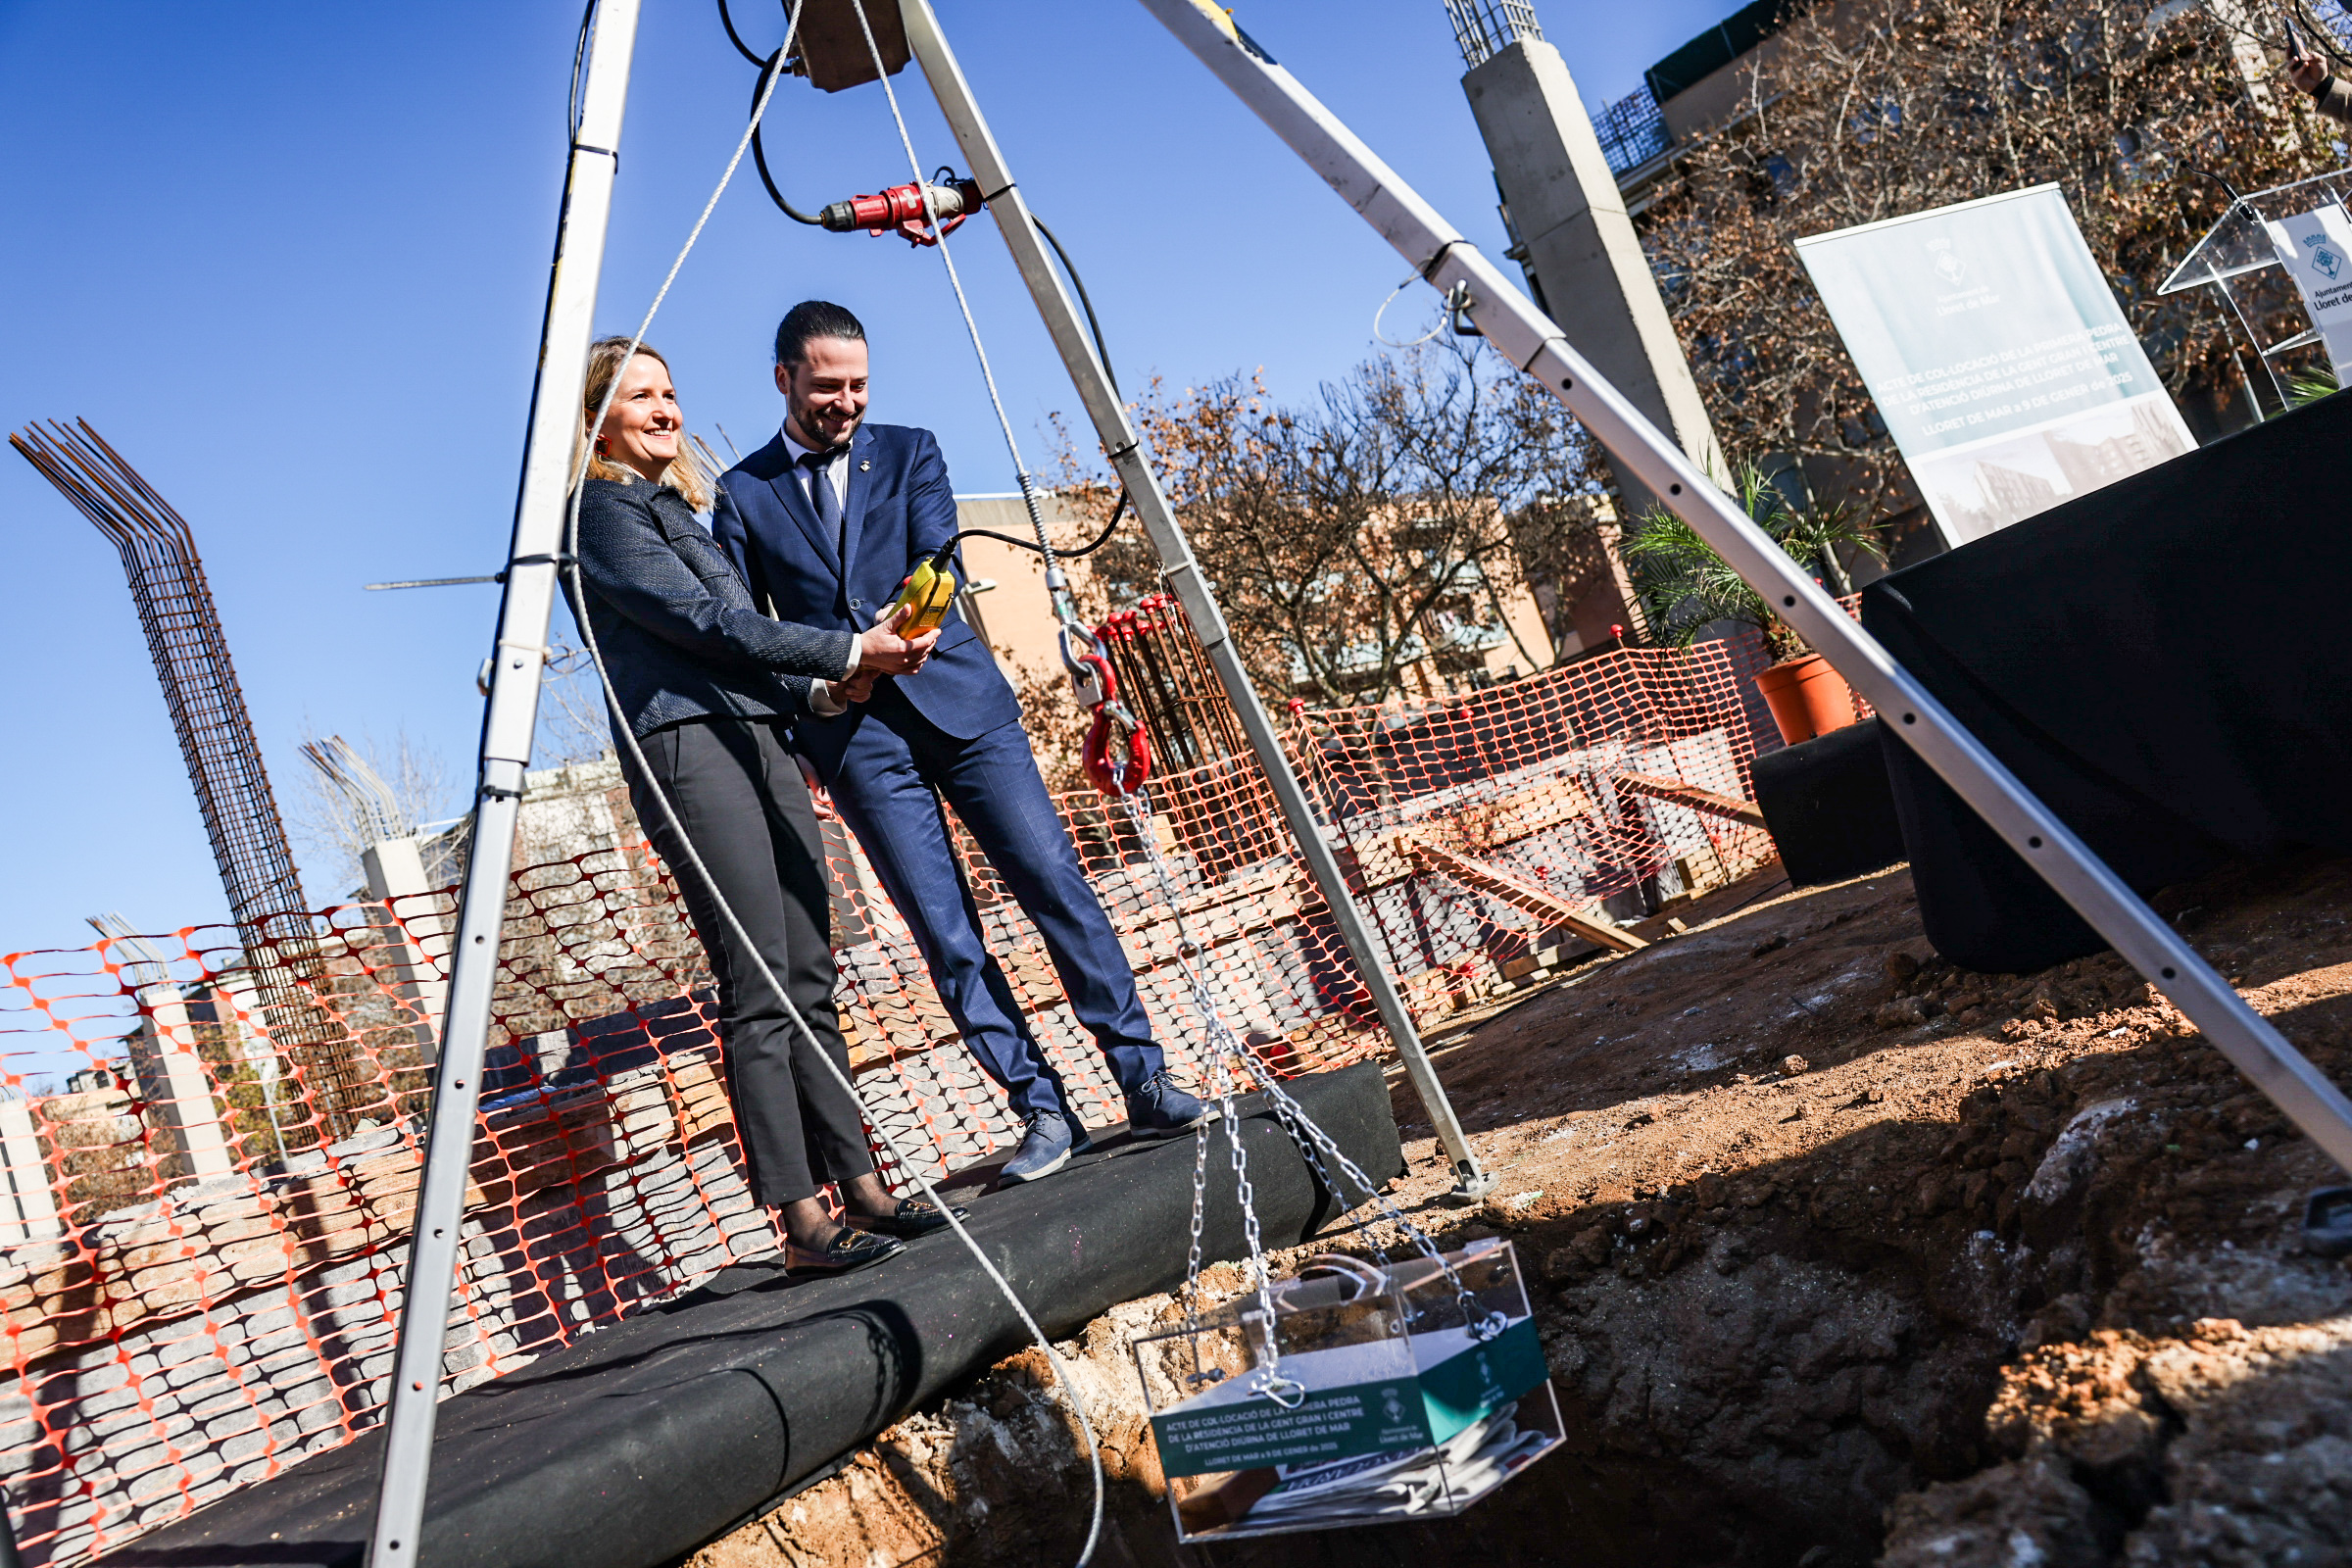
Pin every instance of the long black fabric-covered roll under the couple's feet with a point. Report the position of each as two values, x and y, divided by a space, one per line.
648 1440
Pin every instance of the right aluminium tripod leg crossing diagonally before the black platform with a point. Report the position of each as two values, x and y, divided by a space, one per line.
1537 347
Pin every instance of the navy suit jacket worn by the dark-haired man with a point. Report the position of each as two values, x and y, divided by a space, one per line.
897 511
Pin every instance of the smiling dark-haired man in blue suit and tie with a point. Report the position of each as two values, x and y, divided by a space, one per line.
829 518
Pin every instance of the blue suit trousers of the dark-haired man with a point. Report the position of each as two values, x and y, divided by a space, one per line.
886 791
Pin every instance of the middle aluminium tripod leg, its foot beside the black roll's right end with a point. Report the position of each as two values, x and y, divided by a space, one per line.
1182 572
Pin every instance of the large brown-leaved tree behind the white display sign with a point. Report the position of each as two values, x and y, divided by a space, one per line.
1880 109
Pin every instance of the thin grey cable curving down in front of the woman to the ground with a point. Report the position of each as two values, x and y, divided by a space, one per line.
695 862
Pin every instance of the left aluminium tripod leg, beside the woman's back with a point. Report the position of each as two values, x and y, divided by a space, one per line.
507 753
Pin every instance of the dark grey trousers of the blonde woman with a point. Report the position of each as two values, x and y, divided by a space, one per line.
747 812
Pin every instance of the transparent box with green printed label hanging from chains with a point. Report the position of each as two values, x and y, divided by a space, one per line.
1394 1395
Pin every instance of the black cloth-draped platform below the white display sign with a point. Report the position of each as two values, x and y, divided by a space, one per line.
2160 662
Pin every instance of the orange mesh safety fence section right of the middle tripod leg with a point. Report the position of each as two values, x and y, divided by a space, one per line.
1525 784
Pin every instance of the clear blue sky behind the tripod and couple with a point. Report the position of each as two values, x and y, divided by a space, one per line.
290 262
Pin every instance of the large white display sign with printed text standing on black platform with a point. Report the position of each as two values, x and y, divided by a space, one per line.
1998 356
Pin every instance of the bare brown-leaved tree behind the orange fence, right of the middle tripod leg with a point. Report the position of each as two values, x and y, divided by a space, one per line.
1377 530
